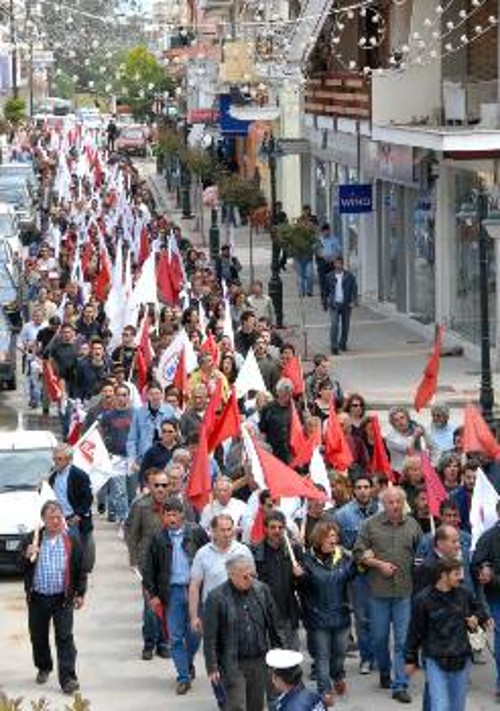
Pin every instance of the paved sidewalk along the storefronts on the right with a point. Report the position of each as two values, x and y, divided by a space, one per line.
385 358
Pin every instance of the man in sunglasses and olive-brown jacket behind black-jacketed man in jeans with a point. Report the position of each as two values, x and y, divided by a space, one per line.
145 519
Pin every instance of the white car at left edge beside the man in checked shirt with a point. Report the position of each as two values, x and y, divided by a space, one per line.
25 463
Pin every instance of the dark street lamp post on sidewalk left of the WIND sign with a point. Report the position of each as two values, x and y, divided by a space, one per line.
271 150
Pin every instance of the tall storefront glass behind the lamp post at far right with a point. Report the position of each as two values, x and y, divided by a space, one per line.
466 316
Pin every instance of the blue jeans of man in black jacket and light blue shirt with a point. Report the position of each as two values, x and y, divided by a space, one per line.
184 642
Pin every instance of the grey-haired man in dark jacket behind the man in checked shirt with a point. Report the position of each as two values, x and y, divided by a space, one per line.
74 493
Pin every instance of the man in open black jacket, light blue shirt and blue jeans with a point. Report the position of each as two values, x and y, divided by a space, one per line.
166 575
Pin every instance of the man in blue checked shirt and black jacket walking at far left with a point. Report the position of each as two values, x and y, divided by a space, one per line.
55 582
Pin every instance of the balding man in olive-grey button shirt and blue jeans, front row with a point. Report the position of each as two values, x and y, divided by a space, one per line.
386 547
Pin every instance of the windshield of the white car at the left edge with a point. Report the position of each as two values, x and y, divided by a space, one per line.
23 469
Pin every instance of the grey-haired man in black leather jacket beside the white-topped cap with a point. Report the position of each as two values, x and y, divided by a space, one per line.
240 626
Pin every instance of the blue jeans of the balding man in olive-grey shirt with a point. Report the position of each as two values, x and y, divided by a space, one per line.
384 612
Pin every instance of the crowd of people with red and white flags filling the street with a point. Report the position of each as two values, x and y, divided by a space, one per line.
260 504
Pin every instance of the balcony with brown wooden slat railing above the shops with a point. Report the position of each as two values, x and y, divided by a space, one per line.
338 94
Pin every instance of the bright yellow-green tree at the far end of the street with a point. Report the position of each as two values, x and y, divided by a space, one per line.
141 77
